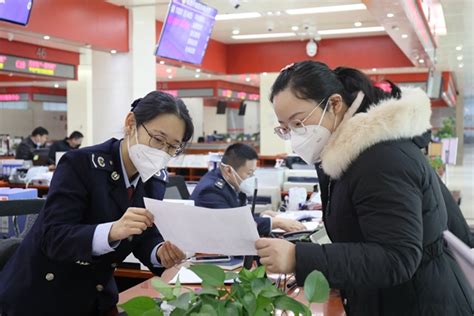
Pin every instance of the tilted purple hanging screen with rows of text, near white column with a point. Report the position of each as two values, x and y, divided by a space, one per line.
186 31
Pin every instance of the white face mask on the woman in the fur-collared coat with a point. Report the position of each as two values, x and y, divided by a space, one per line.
310 144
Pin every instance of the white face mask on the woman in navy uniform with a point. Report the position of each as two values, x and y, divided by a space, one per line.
148 161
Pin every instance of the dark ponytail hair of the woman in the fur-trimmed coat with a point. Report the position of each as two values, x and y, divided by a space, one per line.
313 80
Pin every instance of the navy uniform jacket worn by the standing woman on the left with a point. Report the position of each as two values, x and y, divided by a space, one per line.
53 271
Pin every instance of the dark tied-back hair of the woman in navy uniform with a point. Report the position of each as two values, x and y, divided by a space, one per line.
157 103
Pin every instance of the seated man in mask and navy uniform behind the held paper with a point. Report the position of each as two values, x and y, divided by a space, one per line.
228 186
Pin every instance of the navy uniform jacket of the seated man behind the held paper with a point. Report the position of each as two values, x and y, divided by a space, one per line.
213 191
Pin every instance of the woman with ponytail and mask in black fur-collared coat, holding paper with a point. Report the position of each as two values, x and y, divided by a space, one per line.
383 206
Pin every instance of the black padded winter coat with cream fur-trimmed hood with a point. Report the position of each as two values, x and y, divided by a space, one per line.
385 214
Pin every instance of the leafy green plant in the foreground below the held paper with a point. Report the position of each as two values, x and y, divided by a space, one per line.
251 293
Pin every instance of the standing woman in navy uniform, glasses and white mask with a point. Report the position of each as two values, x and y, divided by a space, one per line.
94 217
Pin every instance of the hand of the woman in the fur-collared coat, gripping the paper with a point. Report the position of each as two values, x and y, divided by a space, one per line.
277 255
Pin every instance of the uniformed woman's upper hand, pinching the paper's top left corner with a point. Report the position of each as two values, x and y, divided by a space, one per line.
134 222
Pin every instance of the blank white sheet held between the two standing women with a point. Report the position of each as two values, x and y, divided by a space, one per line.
229 231
